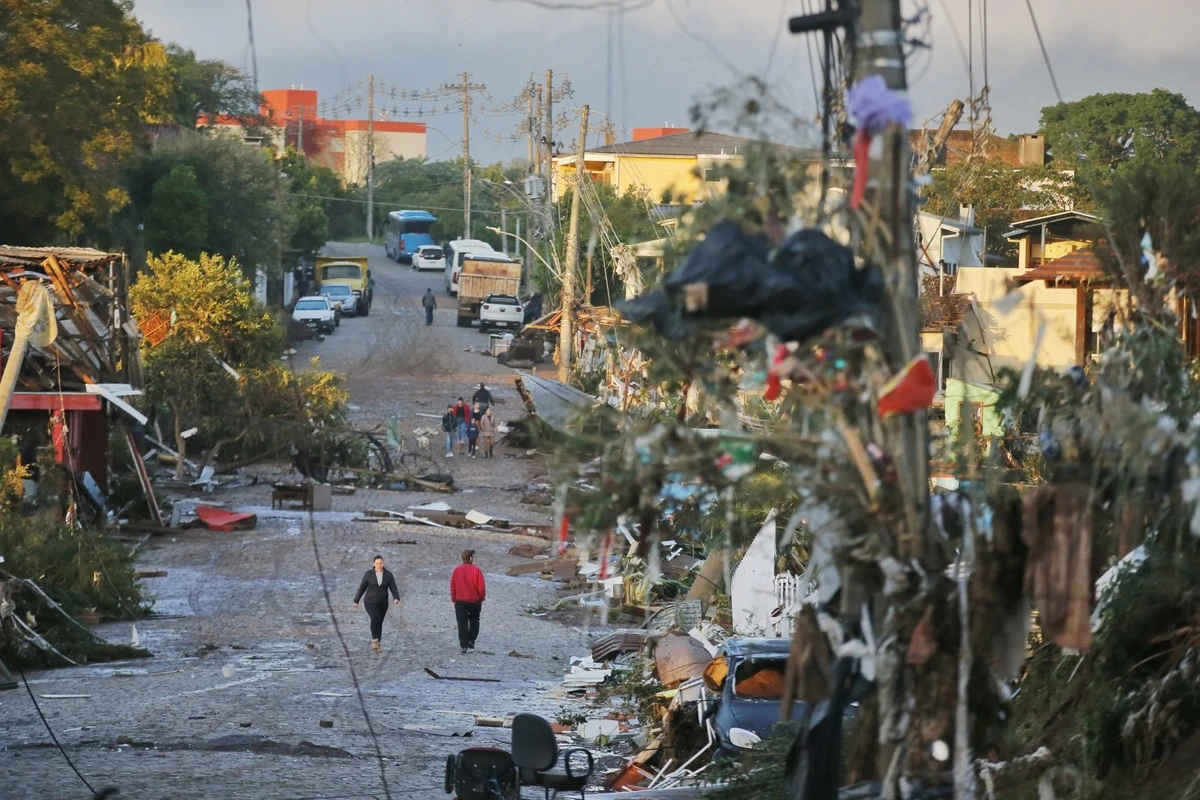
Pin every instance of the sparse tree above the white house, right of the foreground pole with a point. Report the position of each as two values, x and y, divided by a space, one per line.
1003 195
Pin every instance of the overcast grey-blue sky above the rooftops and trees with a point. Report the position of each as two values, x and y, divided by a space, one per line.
650 65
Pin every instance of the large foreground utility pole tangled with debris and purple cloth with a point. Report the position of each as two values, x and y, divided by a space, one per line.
905 721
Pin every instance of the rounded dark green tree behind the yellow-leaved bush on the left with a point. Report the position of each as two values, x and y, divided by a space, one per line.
247 209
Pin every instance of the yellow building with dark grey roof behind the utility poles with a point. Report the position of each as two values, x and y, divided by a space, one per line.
669 166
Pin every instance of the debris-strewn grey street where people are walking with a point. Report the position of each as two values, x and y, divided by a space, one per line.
250 694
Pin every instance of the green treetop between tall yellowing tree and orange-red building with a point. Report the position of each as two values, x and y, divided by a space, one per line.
207 89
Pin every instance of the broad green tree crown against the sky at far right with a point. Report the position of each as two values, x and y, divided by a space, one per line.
1103 131
